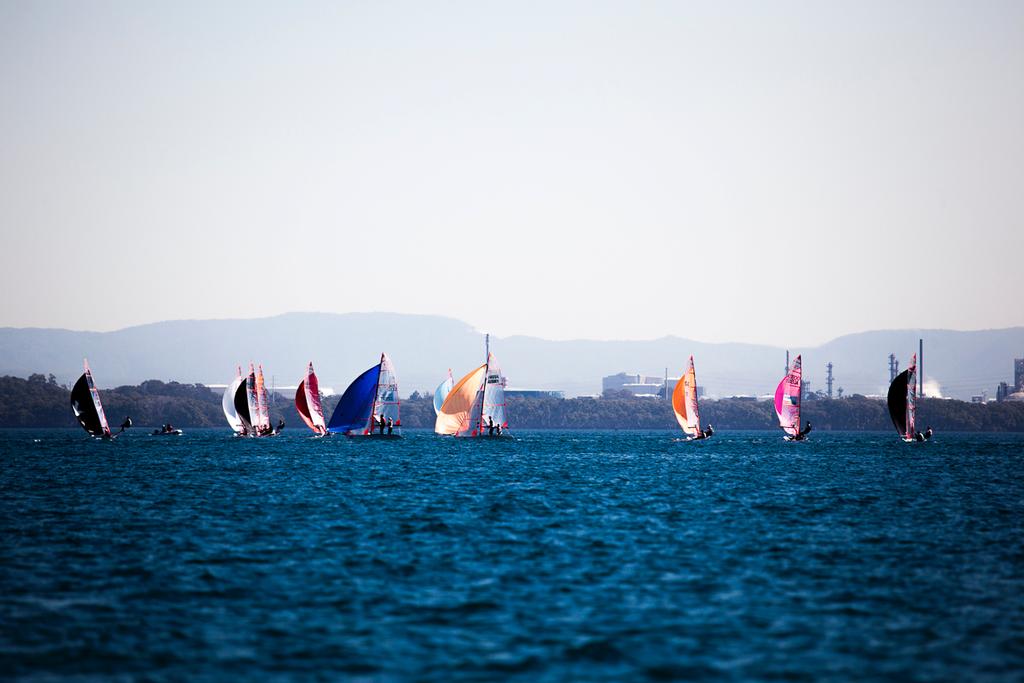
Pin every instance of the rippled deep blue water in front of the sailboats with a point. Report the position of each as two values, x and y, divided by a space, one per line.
591 557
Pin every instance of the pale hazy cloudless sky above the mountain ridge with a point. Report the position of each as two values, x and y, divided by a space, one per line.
765 173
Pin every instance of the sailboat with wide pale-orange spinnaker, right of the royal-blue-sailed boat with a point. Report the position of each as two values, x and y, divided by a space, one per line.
477 404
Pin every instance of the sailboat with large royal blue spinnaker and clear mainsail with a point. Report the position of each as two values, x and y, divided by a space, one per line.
370 406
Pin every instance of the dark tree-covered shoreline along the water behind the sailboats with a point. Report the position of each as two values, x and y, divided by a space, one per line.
40 402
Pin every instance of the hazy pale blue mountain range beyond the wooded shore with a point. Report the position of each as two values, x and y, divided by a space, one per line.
425 347
